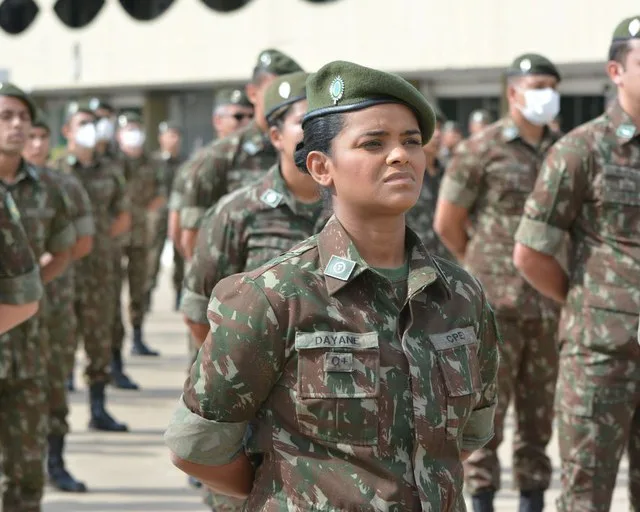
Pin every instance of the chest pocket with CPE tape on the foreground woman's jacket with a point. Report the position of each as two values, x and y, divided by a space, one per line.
458 362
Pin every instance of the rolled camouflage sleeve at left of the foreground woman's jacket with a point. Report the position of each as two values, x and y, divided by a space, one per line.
225 390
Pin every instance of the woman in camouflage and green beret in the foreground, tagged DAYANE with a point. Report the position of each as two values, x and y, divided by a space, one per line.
365 366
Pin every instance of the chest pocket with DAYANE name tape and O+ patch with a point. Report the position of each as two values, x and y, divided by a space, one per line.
337 387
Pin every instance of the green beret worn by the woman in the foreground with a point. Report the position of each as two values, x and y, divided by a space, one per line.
346 87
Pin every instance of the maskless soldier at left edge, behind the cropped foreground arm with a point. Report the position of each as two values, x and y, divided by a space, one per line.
24 350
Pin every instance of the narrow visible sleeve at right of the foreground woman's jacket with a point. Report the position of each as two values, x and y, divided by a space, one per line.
478 430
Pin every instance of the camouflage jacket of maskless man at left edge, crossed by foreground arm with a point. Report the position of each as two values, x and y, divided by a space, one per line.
45 213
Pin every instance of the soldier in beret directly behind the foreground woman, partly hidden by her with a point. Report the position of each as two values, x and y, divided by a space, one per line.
256 223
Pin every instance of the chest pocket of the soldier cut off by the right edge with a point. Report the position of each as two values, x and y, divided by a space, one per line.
620 193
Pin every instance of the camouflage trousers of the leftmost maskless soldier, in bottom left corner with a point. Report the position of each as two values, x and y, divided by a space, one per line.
23 440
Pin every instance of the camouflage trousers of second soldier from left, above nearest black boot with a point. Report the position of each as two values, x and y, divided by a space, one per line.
61 324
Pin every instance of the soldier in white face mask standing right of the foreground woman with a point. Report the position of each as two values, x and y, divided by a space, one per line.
489 178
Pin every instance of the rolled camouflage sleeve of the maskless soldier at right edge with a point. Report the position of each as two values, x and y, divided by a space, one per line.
556 198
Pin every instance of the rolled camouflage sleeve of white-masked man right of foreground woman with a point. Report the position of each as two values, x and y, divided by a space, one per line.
463 176
